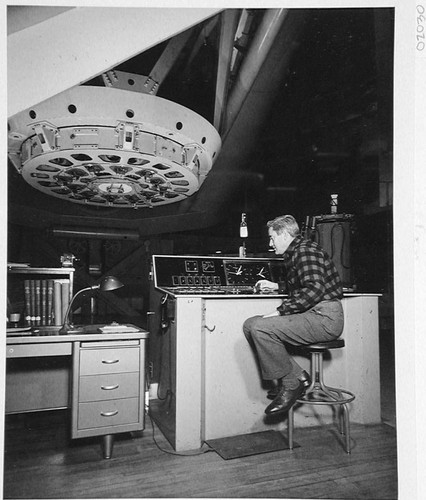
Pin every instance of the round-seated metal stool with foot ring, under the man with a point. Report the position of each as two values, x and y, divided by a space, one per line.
320 394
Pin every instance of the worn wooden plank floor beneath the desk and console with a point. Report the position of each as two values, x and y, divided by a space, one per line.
41 462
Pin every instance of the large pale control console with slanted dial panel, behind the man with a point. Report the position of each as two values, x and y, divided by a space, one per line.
209 373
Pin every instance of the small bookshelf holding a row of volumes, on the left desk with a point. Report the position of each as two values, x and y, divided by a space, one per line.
40 295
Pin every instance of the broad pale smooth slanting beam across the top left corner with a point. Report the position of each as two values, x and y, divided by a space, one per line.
78 44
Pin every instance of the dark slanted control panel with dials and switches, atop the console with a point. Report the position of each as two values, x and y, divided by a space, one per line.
221 275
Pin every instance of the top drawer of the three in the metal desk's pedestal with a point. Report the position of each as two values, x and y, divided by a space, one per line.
116 360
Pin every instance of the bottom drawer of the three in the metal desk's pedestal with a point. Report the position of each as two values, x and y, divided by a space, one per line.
108 413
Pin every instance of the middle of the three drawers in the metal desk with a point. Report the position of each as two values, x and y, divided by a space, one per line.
109 386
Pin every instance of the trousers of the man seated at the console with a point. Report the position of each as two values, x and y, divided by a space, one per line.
321 323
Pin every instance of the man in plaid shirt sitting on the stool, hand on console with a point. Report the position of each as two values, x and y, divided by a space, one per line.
311 313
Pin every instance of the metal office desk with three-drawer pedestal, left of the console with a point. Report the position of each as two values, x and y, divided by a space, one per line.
100 377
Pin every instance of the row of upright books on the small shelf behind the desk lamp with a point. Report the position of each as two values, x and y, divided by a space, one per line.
46 301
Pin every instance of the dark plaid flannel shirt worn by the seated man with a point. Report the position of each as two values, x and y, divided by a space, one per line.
311 277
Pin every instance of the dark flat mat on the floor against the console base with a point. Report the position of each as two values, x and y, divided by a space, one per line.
244 445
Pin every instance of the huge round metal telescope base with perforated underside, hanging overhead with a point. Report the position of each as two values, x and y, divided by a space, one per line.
109 147
